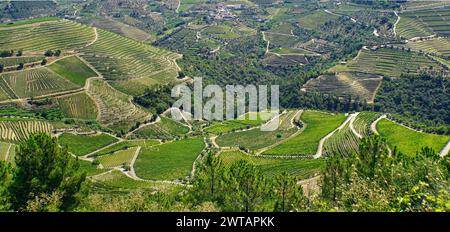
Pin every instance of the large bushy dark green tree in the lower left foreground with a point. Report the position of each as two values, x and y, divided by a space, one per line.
44 173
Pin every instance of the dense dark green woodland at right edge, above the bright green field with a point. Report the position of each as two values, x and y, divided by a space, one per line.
421 101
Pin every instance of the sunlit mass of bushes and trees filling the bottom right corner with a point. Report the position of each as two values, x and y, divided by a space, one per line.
373 180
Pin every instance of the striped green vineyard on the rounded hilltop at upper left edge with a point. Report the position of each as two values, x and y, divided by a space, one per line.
52 35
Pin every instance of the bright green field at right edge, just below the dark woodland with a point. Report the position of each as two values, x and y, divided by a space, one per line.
408 141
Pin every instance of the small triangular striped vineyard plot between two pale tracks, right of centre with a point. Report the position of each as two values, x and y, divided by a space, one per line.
342 142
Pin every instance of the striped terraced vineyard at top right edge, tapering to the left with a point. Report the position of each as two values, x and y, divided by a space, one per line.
436 20
